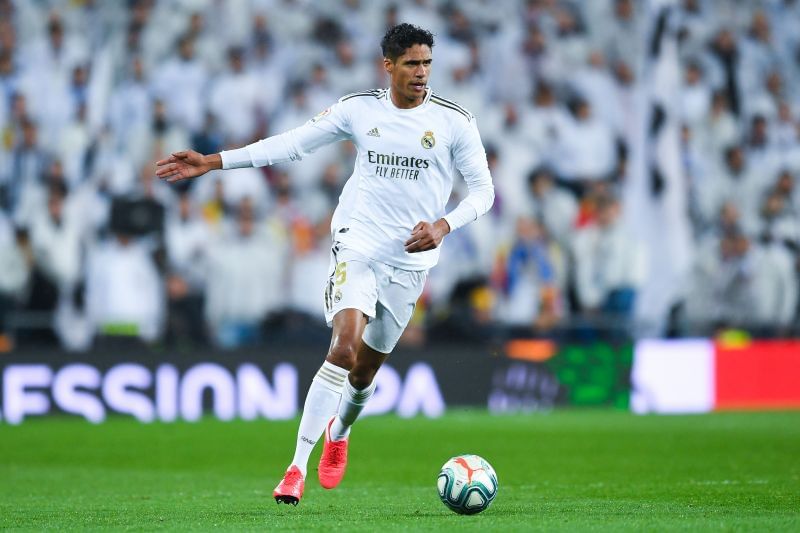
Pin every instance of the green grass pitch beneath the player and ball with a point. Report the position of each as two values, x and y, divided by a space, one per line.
567 470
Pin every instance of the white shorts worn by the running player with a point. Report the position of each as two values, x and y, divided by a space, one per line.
385 294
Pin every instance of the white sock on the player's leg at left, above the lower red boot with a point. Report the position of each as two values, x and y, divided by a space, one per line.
322 401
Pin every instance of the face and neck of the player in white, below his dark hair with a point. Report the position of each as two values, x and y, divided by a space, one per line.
409 75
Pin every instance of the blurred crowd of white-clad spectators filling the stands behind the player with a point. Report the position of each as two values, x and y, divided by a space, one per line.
92 93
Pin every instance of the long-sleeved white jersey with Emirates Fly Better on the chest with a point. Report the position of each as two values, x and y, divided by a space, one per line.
403 174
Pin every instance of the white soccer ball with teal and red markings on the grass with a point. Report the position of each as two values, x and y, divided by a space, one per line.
467 484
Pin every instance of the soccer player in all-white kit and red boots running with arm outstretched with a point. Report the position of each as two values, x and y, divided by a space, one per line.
386 230
